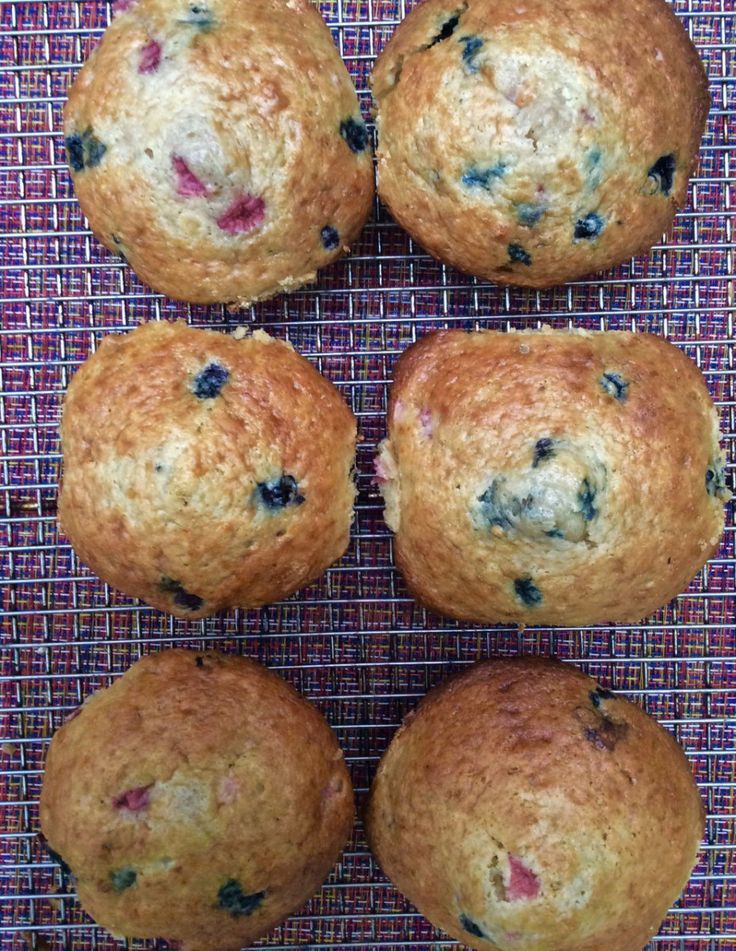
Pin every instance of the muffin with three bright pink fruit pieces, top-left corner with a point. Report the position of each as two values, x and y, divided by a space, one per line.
218 146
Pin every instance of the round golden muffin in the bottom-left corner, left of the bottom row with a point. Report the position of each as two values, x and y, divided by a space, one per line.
199 798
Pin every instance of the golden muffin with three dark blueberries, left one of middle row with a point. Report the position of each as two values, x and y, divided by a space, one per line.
201 471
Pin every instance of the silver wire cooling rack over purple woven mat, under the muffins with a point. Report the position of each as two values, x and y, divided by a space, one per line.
354 643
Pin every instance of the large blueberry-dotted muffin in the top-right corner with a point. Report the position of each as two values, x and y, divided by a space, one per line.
535 142
